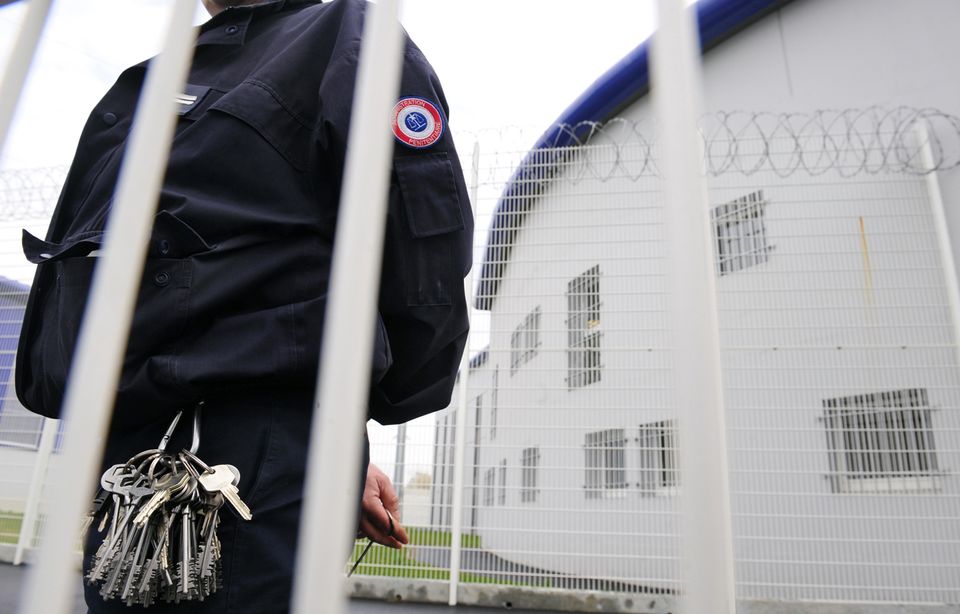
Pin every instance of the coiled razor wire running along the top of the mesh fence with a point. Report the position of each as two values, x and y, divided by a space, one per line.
849 142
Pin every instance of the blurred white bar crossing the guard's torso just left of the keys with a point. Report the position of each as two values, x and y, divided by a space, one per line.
91 390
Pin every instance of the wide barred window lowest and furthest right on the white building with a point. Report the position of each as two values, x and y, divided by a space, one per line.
881 442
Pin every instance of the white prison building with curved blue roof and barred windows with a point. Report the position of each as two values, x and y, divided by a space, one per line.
837 312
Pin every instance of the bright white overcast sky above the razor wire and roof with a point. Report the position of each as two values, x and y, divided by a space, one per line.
503 63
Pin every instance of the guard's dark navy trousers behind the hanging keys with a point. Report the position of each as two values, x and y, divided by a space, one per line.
265 435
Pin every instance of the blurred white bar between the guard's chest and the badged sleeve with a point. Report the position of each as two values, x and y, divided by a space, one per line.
328 520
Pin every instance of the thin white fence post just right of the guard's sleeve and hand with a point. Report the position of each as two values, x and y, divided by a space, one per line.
460 425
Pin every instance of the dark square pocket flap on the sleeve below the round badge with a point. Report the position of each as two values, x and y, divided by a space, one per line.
430 196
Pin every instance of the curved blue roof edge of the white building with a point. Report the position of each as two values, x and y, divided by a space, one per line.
618 88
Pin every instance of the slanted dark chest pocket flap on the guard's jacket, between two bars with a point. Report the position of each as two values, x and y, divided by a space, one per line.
255 104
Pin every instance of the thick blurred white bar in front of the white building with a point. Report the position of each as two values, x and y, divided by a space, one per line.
707 539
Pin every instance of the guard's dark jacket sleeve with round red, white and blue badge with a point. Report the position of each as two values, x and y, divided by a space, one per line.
422 327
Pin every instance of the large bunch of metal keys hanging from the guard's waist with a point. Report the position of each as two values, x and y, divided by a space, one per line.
159 513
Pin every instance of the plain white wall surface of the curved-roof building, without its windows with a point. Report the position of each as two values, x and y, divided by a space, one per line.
815 322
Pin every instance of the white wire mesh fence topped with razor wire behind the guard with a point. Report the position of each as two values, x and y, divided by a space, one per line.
839 358
